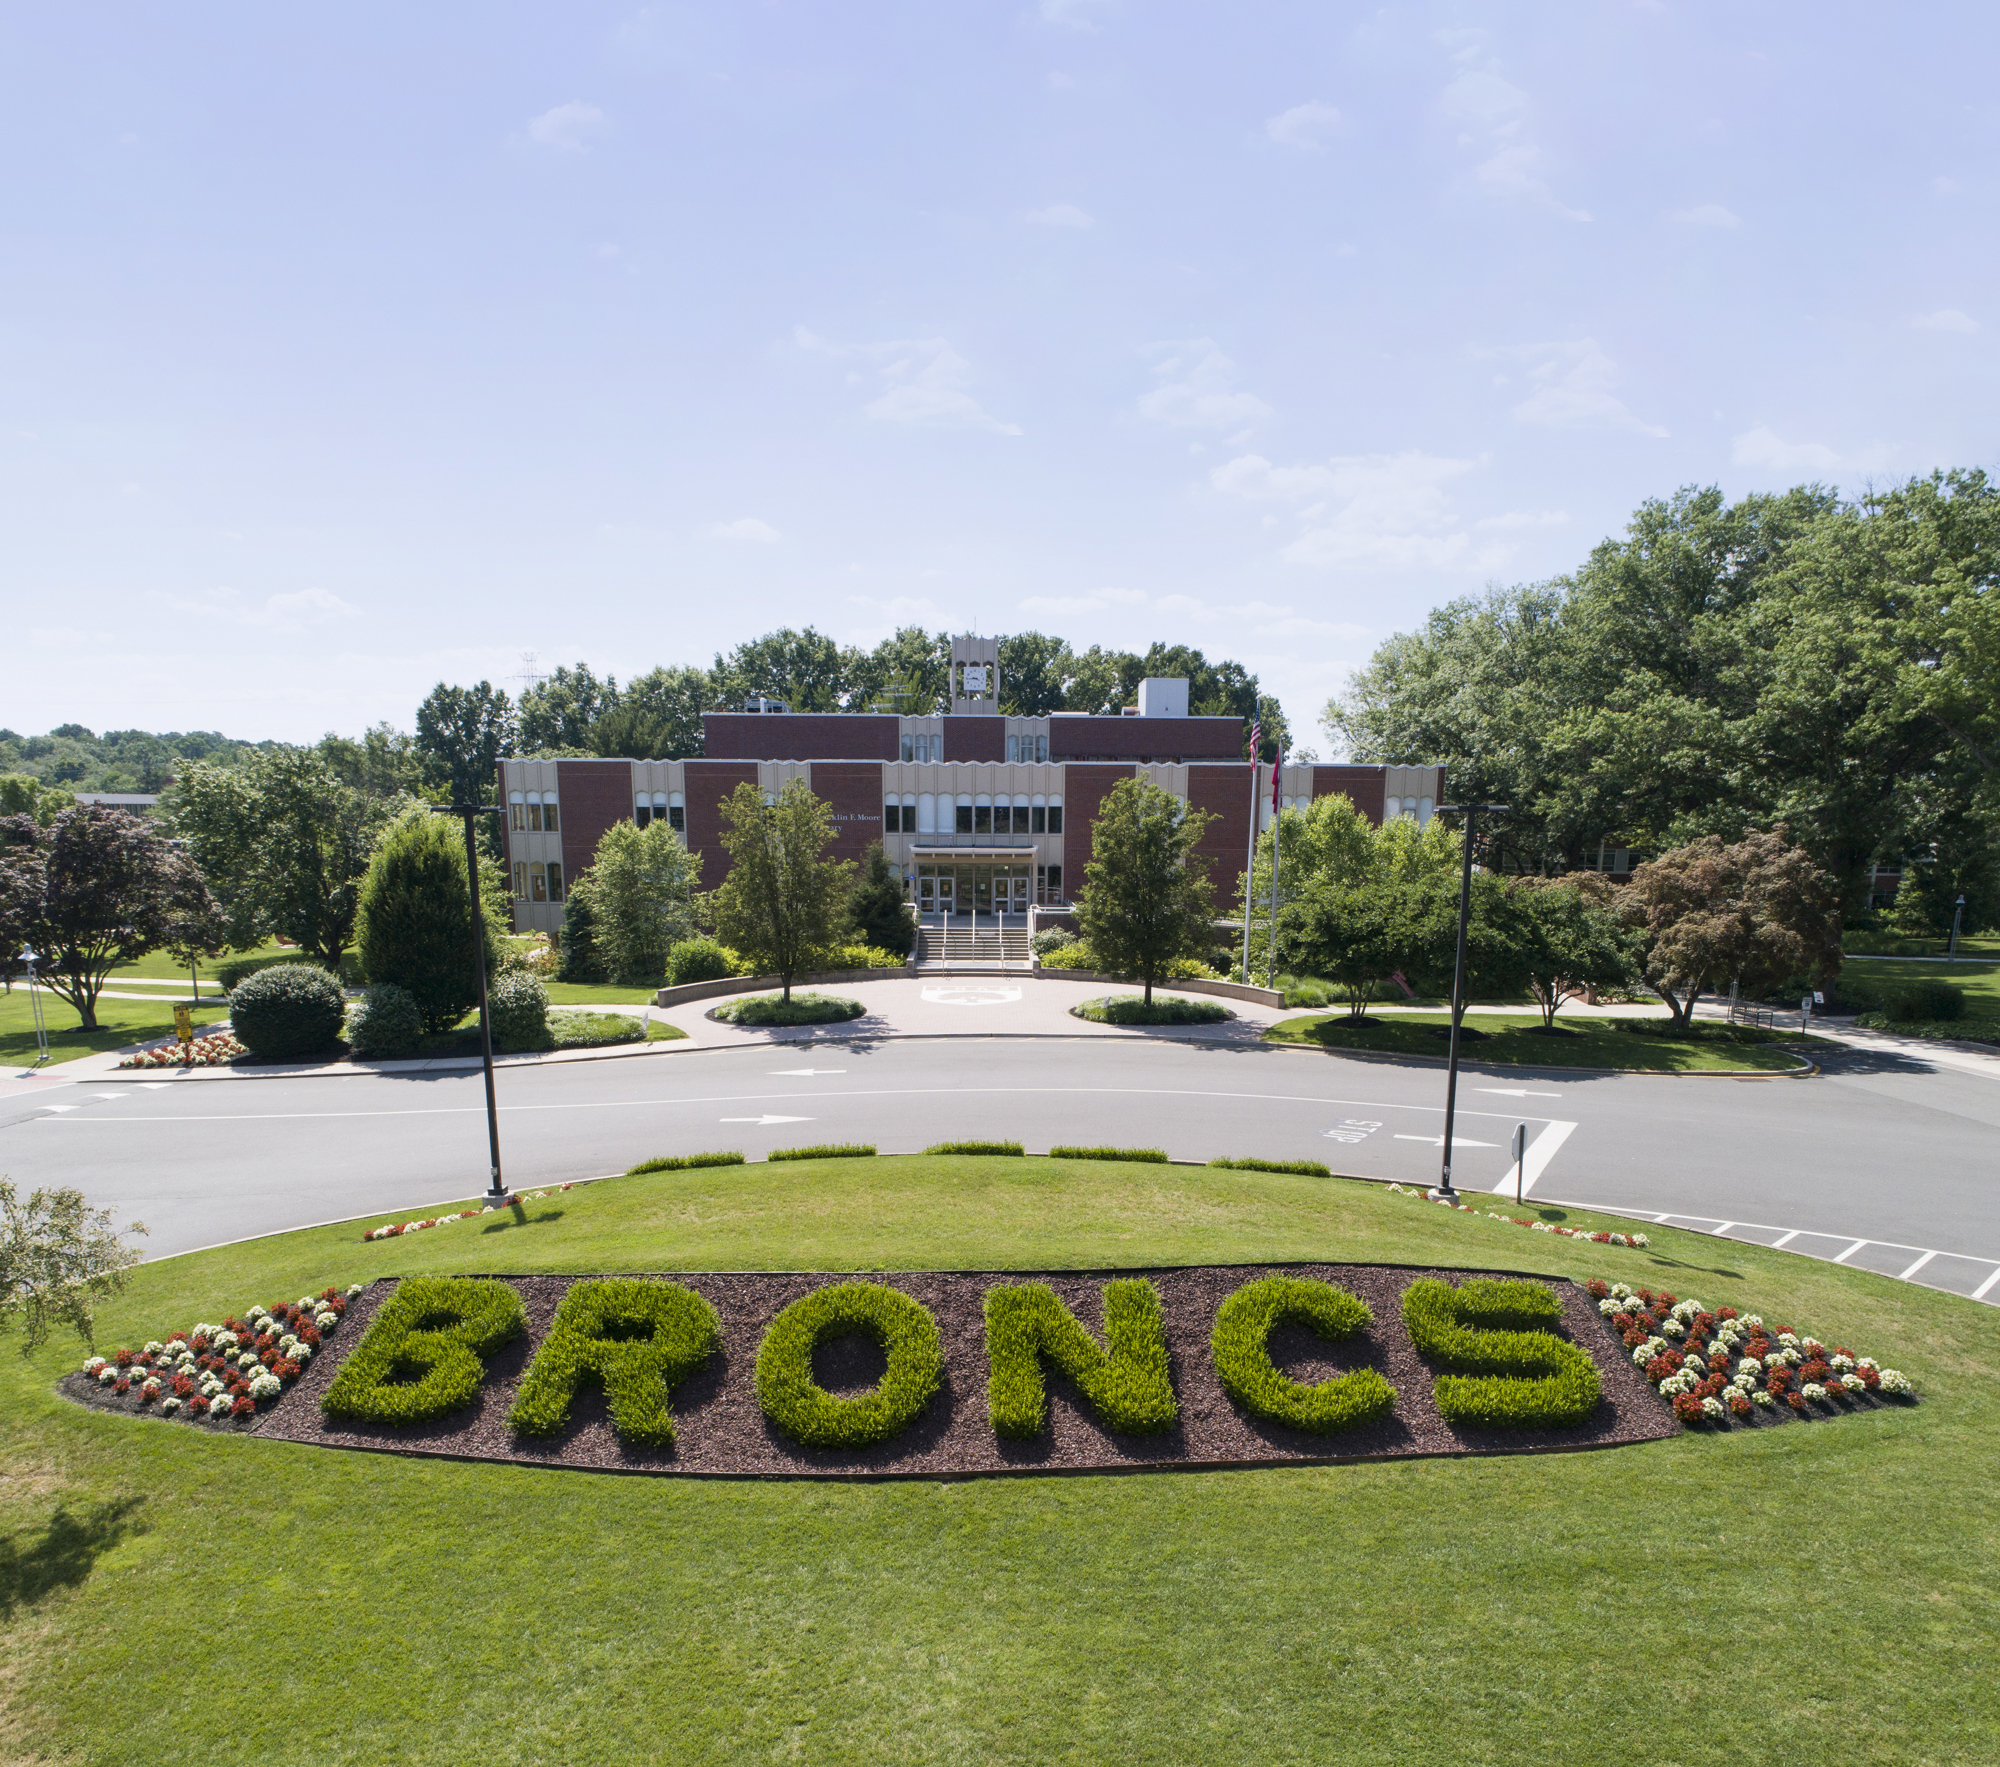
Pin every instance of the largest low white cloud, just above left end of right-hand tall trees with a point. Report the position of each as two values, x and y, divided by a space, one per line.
1387 511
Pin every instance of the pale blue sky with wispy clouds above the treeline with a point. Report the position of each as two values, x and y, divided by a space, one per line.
351 349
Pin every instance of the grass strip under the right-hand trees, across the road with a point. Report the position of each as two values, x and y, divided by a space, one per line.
1517 1038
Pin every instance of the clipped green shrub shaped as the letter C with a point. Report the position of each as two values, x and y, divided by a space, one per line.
1251 1378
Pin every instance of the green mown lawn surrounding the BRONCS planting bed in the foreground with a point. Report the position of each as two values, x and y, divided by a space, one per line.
1805 1594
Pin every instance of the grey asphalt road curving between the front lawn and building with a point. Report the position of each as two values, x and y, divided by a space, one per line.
1877 1150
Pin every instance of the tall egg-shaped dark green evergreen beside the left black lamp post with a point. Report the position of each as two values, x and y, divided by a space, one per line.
417 920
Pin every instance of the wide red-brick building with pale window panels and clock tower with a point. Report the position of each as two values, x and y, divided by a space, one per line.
983 815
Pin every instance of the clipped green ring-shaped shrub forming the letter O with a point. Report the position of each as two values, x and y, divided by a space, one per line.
805 1410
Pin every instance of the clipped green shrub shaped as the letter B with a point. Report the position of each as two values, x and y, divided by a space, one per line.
425 1350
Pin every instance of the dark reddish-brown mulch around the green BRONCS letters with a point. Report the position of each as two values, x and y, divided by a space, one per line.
723 1432
